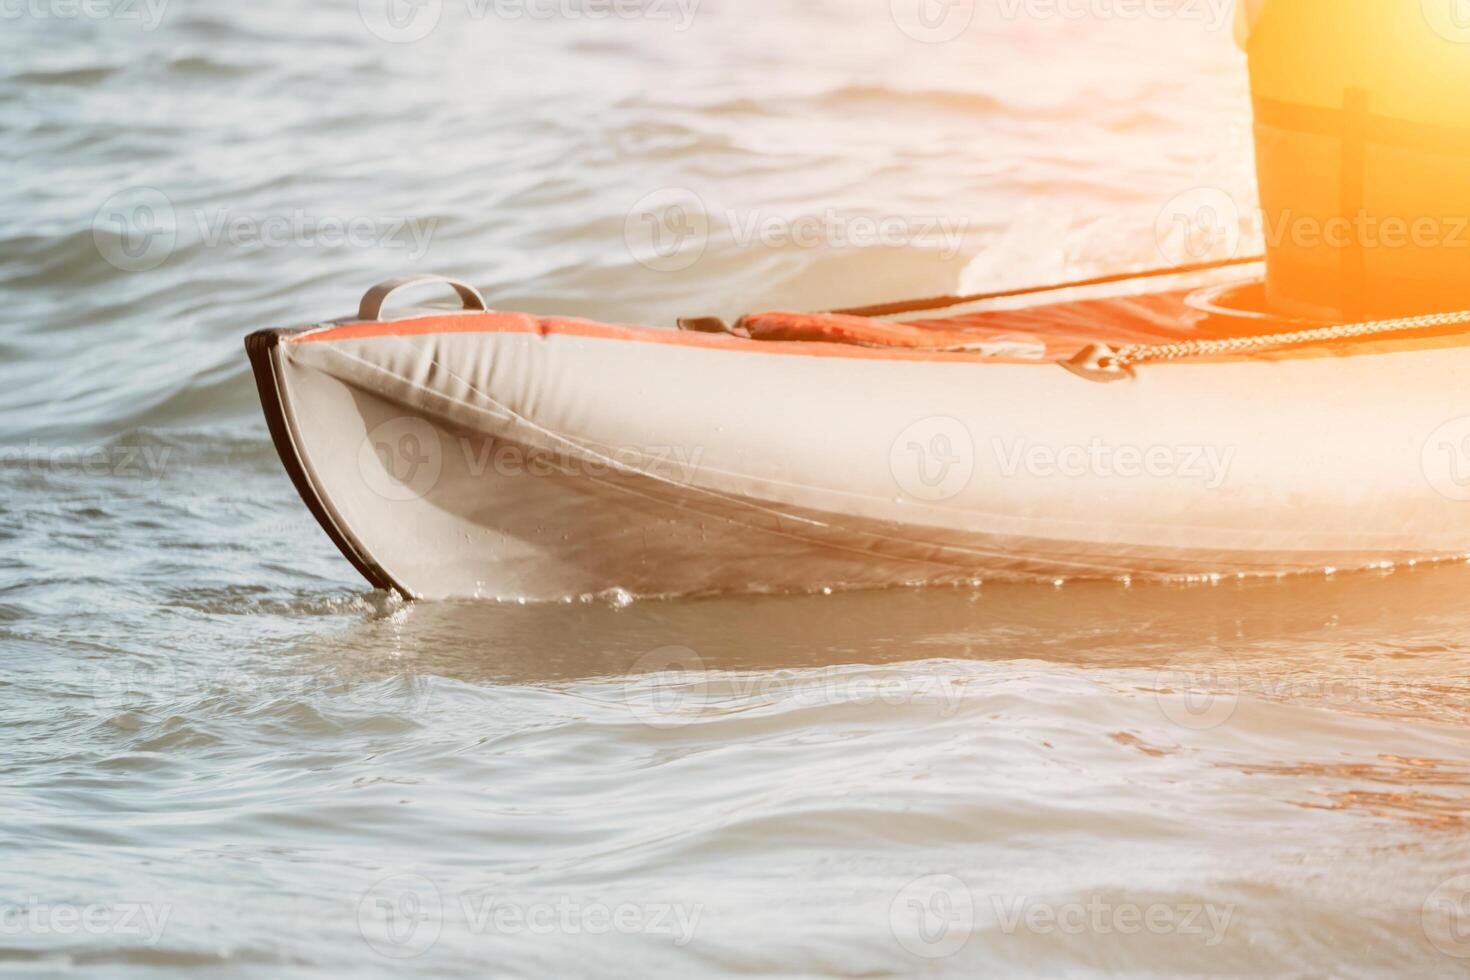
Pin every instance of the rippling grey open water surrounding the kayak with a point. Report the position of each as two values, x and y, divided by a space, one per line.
249 765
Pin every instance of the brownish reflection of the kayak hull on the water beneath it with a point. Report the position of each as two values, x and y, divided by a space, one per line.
1309 640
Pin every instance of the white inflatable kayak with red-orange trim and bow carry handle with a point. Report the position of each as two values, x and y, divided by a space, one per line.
1175 434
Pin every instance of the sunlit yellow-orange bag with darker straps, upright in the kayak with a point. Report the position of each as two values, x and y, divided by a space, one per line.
1363 155
